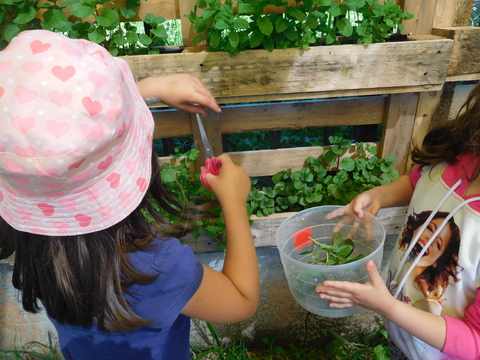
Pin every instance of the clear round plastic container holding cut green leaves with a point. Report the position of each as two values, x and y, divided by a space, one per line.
302 277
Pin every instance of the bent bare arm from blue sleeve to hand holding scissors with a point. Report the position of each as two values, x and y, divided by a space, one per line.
233 294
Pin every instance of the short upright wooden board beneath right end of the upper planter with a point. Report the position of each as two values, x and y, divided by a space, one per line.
398 128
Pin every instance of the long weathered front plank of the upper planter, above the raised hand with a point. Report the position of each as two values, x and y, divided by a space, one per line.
318 69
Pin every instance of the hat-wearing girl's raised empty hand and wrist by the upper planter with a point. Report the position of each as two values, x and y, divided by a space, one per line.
180 91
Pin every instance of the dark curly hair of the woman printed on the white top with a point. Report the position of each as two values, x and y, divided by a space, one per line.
435 278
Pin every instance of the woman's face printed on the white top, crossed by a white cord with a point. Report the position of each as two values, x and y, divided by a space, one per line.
438 246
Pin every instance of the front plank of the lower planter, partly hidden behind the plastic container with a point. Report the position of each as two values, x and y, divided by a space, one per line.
264 230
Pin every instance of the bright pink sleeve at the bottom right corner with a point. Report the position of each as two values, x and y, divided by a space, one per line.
463 335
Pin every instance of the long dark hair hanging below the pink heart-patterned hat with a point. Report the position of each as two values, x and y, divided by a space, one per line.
81 280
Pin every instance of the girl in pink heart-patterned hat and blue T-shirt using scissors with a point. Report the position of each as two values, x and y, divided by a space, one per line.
76 161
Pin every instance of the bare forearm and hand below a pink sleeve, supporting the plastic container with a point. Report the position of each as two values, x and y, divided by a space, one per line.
375 296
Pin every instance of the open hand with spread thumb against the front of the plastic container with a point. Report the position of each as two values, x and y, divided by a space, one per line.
373 295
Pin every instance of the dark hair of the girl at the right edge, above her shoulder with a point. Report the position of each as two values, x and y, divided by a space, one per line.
446 141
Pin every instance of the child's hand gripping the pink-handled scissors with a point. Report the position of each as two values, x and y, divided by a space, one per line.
232 185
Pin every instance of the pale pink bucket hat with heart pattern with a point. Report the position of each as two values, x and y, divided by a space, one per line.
75 139
